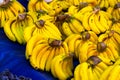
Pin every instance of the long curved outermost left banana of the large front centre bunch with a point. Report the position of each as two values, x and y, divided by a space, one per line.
31 44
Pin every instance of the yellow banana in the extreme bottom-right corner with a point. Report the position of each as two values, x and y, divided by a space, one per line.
113 75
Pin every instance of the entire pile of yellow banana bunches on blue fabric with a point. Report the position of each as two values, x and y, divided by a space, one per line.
57 32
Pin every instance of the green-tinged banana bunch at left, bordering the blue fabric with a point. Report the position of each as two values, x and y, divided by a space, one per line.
14 27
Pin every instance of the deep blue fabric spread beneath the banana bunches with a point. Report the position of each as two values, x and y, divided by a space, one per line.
12 57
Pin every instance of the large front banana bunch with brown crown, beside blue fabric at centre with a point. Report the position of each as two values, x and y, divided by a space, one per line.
41 50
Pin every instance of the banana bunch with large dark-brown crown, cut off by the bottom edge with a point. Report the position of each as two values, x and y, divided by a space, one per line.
92 69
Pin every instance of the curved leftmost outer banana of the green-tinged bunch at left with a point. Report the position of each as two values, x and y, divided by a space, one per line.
8 31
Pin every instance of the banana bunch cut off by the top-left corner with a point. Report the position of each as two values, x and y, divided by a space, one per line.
9 9
